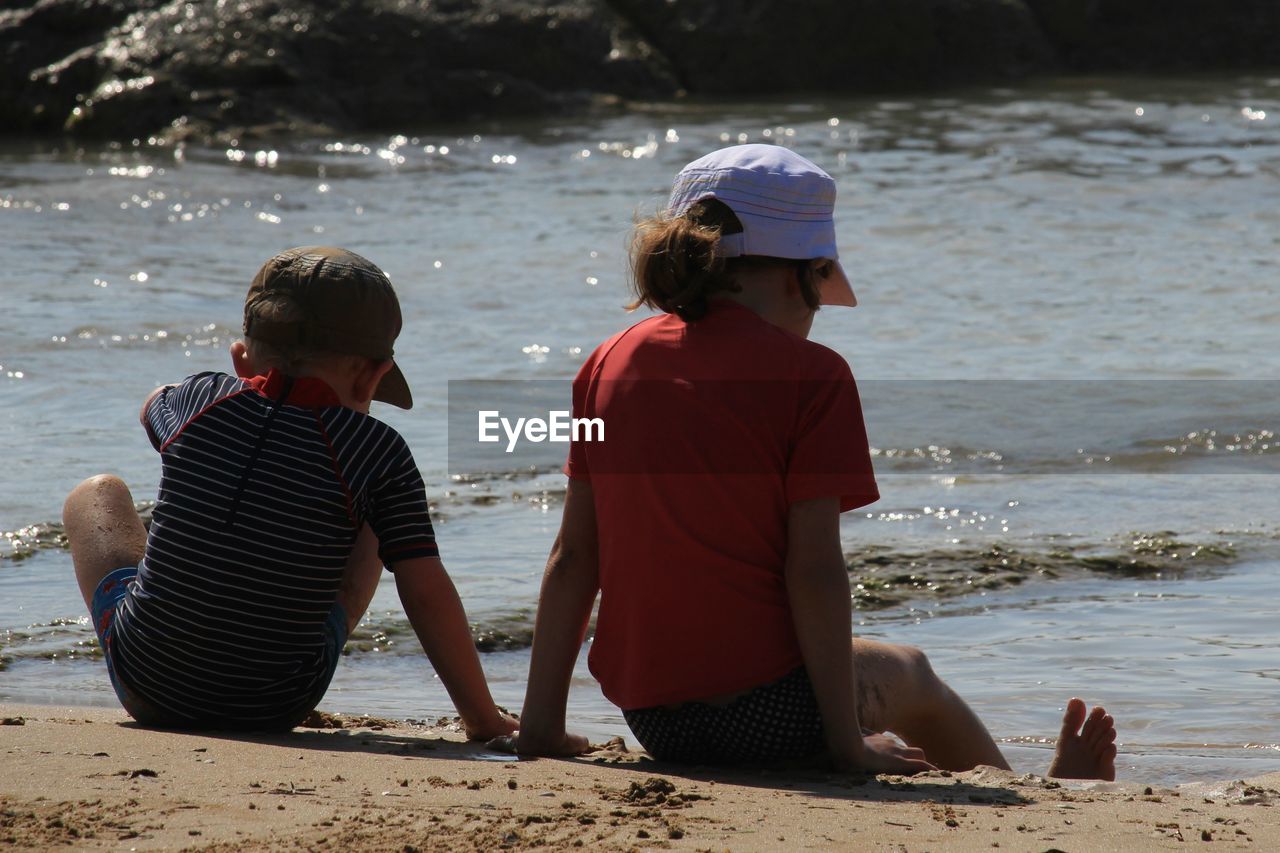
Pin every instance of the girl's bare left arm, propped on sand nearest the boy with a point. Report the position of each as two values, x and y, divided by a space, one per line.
569 591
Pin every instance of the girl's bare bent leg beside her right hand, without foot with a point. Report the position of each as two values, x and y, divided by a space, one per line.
899 692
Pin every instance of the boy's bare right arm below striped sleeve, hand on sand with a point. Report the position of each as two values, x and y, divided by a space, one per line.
433 608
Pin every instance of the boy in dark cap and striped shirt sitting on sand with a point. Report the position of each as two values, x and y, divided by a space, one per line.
280 503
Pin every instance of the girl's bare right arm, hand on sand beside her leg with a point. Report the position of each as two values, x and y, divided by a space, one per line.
819 591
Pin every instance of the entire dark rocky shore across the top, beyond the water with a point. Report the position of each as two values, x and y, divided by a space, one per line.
205 69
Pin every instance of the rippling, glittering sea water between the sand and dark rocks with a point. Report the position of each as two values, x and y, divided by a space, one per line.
1066 343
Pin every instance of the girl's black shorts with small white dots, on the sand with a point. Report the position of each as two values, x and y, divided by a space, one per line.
778 722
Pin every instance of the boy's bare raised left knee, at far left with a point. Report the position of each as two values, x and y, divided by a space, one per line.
104 531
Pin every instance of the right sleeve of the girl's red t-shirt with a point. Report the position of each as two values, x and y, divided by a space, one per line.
830 454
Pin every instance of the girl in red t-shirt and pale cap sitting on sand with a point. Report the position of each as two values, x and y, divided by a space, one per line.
710 519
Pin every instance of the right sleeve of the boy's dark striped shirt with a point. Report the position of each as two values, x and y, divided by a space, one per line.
399 510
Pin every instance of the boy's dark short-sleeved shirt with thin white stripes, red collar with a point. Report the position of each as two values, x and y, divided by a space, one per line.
264 489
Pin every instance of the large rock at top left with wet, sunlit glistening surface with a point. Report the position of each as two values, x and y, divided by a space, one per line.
194 67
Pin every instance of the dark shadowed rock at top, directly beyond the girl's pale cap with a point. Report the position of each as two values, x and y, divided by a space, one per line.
721 47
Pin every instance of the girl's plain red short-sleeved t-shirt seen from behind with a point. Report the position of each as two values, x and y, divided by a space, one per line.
712 430
